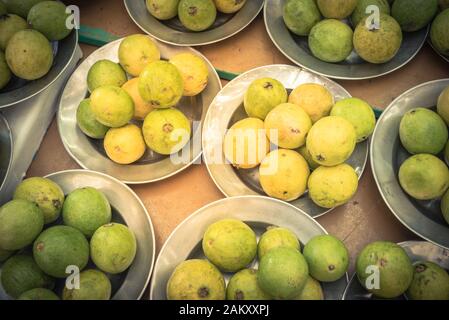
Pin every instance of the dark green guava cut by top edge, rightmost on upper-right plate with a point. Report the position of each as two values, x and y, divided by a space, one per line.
413 15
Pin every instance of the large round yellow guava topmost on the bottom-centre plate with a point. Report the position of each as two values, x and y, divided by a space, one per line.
230 244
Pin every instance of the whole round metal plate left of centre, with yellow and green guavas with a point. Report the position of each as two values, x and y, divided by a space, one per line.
89 153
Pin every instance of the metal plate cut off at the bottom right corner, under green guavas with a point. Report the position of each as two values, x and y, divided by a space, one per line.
417 251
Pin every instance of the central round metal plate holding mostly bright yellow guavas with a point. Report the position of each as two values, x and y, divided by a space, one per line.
227 108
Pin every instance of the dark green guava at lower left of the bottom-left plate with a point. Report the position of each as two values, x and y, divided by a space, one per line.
20 274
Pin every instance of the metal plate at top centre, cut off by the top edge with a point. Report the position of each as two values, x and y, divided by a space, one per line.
173 32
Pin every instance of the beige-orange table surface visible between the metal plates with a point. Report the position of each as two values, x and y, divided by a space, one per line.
365 219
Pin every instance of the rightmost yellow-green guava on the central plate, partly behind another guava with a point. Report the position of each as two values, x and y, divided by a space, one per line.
359 113
